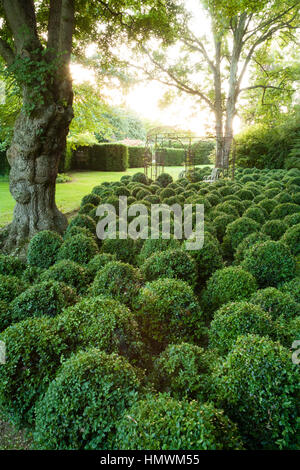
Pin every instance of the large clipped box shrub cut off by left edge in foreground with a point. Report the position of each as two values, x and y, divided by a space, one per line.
34 349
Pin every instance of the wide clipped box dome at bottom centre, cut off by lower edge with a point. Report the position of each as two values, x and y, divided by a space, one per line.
153 424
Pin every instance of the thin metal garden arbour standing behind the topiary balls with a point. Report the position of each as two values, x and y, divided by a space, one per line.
159 138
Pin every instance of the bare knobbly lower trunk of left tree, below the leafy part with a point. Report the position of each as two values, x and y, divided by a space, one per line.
34 155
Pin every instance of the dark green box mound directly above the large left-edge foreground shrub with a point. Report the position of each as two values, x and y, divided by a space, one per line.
46 298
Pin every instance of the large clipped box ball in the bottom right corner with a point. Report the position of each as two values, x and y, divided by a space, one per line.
264 401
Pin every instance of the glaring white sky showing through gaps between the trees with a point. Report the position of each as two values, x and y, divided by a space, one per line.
145 98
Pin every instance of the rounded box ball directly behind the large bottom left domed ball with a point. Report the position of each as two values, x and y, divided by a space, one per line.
106 324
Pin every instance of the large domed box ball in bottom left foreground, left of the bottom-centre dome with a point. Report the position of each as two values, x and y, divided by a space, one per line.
83 404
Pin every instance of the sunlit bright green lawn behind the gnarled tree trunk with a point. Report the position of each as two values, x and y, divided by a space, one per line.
69 195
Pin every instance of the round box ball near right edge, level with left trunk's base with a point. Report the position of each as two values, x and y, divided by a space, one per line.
270 263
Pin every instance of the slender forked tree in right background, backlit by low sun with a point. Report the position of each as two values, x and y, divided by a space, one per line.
212 67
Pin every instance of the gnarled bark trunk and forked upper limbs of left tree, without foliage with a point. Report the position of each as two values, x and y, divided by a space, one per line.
39 135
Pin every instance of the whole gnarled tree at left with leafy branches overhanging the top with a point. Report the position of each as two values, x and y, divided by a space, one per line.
37 39
